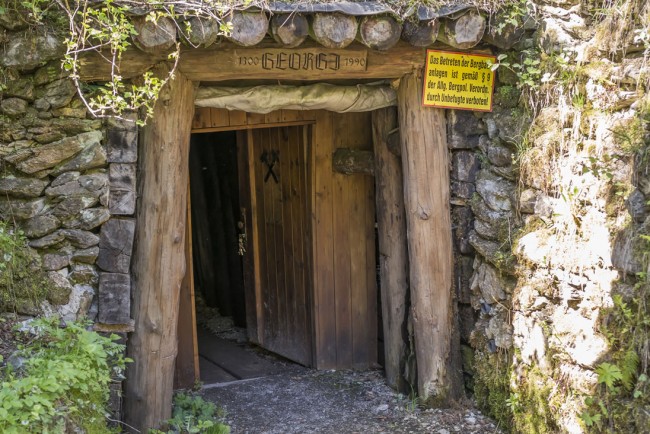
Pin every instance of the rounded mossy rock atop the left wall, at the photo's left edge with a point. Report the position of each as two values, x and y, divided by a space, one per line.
30 49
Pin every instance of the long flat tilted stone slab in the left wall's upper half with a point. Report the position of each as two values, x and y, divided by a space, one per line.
48 156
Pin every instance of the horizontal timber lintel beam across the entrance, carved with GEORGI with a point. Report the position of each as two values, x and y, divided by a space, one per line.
267 60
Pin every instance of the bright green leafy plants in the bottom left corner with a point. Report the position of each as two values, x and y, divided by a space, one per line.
62 383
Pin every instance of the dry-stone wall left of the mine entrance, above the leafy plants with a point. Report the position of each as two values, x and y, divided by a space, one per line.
68 181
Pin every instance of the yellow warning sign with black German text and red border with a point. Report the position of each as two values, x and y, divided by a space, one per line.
458 80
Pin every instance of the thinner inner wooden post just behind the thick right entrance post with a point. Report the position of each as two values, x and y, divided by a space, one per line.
393 254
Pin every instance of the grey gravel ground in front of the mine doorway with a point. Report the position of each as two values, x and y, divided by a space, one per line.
302 400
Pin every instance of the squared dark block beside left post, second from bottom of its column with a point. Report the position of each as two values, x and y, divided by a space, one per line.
116 245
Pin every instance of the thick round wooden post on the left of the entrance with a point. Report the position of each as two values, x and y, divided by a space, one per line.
159 257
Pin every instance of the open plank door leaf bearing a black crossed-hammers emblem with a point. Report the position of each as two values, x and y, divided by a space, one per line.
280 196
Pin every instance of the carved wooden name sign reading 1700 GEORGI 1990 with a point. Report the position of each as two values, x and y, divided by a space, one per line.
306 59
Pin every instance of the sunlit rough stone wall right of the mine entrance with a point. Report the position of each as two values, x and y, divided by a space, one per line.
549 213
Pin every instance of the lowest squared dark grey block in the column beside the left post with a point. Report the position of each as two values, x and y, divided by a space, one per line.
114 298
